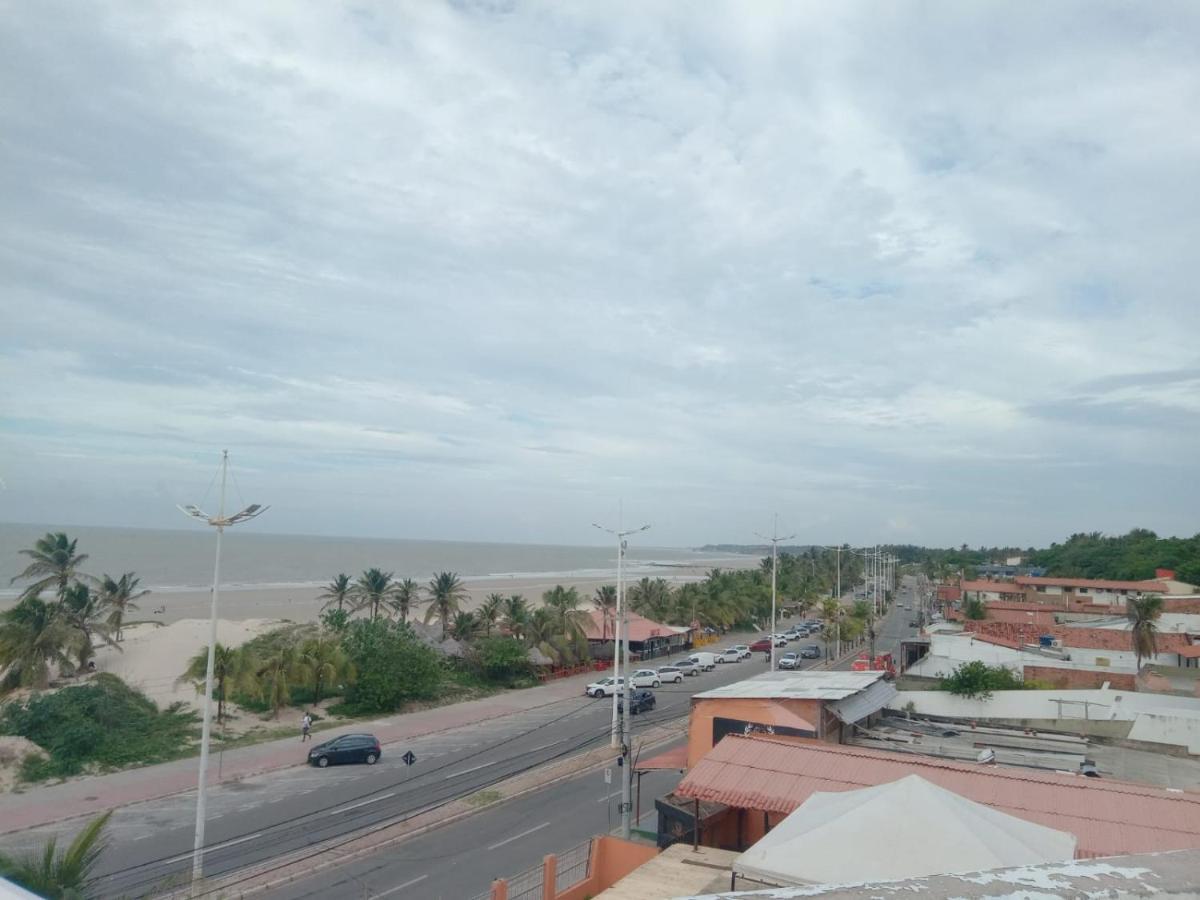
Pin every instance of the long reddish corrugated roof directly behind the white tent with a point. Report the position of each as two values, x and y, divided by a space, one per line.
1108 818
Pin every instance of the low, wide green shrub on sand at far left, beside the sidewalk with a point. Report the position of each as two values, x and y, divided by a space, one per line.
105 724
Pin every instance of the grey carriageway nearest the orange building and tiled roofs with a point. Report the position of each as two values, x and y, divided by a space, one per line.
461 860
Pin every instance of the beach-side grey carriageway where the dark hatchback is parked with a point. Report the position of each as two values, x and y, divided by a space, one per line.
263 817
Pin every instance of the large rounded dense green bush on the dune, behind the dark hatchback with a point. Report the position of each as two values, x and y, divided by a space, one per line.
393 667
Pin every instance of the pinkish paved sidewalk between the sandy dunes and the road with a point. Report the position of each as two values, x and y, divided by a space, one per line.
46 805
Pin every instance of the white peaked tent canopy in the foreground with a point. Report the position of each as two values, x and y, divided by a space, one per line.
901 830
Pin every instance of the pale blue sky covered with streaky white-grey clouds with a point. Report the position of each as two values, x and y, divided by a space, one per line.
898 273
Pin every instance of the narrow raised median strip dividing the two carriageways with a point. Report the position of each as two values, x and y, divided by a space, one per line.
413 827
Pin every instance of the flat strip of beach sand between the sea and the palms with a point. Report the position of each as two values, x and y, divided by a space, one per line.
302 604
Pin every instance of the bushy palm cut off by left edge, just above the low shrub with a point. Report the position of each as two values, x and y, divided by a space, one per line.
34 635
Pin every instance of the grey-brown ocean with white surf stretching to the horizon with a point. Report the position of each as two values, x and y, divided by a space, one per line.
169 560
